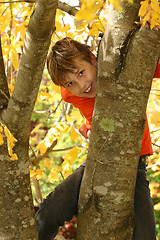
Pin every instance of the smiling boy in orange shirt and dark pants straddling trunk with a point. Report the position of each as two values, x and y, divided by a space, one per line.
72 66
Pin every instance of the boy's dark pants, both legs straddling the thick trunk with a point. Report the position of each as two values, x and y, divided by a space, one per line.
61 205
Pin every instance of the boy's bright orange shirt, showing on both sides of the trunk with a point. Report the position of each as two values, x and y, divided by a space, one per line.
86 106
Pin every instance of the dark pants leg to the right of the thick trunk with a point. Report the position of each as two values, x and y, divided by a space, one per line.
144 212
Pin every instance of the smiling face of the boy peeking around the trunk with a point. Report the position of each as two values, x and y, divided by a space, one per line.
82 82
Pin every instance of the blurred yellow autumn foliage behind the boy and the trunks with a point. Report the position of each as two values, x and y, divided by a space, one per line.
56 146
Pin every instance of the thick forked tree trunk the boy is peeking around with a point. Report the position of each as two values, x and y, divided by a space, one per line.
126 63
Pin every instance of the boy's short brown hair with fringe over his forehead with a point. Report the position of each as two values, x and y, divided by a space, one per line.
61 58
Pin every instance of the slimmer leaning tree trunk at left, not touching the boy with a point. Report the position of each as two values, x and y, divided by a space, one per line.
16 204
